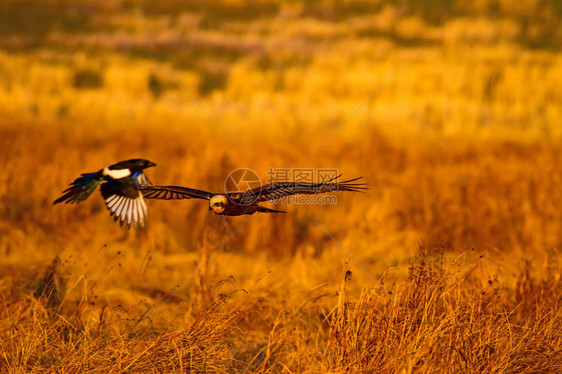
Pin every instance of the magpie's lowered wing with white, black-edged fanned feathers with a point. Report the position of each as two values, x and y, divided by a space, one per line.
124 201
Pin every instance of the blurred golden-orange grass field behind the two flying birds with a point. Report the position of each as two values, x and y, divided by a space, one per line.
450 110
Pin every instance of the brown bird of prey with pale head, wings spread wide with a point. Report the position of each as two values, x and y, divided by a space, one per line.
247 202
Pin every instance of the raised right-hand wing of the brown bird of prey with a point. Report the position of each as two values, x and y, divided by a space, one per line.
275 191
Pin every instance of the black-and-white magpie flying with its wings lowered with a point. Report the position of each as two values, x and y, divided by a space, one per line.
120 183
